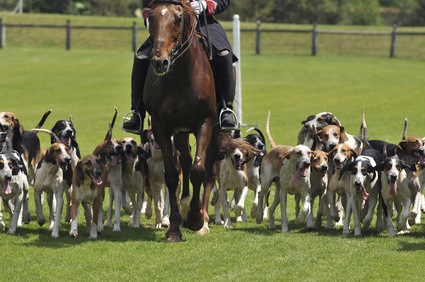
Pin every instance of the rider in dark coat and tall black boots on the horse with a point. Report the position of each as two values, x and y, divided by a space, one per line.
223 57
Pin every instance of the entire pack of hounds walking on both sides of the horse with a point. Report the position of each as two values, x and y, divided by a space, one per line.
351 176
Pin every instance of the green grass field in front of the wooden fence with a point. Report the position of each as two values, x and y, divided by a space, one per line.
88 84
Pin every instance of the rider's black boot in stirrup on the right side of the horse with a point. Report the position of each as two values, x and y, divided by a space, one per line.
225 73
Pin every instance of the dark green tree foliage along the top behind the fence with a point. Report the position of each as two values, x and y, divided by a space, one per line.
352 12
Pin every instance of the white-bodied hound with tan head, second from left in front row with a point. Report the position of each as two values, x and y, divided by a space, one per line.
49 178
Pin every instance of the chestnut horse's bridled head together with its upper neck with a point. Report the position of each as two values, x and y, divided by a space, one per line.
168 21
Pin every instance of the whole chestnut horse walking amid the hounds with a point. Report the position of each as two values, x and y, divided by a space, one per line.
180 96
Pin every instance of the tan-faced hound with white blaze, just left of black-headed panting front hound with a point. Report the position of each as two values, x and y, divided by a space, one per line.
340 157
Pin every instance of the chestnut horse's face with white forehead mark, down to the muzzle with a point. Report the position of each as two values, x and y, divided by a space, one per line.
165 29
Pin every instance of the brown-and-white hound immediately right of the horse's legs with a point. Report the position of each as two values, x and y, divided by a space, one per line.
233 175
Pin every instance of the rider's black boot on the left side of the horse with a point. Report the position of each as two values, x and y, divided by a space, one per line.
138 76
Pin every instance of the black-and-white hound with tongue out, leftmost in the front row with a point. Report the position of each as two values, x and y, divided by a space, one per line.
14 187
